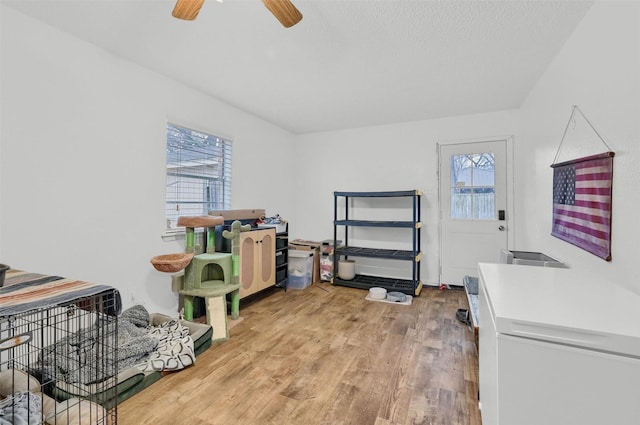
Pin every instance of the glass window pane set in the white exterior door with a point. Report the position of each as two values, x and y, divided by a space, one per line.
473 194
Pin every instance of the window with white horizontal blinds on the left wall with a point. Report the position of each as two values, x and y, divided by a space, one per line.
198 173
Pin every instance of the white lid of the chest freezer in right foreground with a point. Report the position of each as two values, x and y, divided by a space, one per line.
562 305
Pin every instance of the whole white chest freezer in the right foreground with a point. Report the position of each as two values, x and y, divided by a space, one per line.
557 347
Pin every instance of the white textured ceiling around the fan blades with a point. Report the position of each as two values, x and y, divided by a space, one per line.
348 63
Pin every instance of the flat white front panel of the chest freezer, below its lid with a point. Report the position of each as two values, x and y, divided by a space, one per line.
547 383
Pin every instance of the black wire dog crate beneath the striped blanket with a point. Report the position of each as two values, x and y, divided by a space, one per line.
58 364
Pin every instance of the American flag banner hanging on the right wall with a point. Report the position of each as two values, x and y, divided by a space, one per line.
582 191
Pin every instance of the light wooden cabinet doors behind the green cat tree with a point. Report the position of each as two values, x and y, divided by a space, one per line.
257 260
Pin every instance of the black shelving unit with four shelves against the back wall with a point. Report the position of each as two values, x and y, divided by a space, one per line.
411 286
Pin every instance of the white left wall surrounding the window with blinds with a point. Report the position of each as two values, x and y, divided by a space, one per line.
82 171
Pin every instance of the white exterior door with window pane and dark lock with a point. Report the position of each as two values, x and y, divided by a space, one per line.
473 207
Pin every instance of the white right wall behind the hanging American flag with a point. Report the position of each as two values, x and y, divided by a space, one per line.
599 71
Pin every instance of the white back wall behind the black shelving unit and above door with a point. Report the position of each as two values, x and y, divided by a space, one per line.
393 157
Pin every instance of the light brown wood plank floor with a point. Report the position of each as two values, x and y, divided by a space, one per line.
325 355
